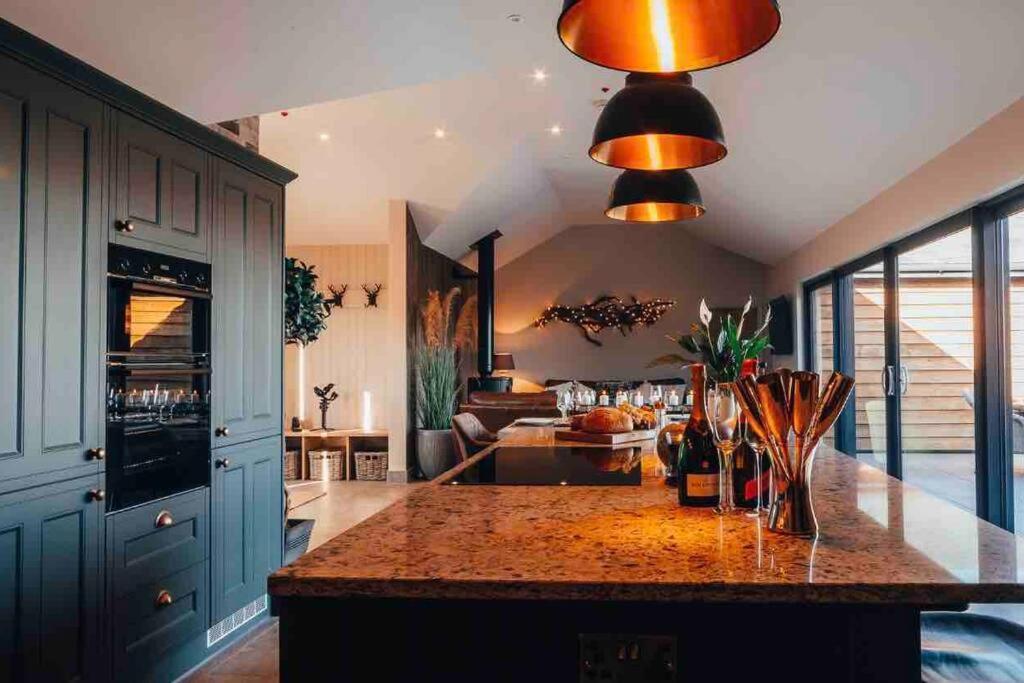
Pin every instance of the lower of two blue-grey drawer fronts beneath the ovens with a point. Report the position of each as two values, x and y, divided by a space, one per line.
158 618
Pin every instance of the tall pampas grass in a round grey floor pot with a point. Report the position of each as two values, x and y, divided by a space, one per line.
437 365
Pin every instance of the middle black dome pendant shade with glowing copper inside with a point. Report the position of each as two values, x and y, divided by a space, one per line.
659 123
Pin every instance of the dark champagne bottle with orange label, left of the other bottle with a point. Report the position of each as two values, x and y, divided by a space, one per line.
699 469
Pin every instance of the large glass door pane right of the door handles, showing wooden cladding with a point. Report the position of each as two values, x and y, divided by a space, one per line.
936 372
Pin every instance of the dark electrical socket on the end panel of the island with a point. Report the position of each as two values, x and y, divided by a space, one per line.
628 659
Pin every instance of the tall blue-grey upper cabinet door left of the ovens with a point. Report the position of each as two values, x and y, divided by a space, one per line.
53 263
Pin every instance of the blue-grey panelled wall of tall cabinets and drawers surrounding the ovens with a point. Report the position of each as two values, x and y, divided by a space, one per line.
151 591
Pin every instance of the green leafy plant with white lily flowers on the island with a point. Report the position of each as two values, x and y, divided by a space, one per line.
722 354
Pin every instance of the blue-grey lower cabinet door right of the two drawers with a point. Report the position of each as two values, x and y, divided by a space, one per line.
247 527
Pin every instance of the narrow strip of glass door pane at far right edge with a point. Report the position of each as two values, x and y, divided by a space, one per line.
1017 361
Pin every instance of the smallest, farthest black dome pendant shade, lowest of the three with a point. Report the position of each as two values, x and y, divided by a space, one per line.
655 197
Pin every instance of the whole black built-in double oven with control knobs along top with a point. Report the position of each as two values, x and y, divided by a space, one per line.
158 376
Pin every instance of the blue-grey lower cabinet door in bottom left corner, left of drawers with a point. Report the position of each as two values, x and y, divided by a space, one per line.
51 579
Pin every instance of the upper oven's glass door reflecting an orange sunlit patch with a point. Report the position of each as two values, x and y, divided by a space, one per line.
150 322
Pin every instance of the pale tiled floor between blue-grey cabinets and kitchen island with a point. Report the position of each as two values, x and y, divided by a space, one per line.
336 506
